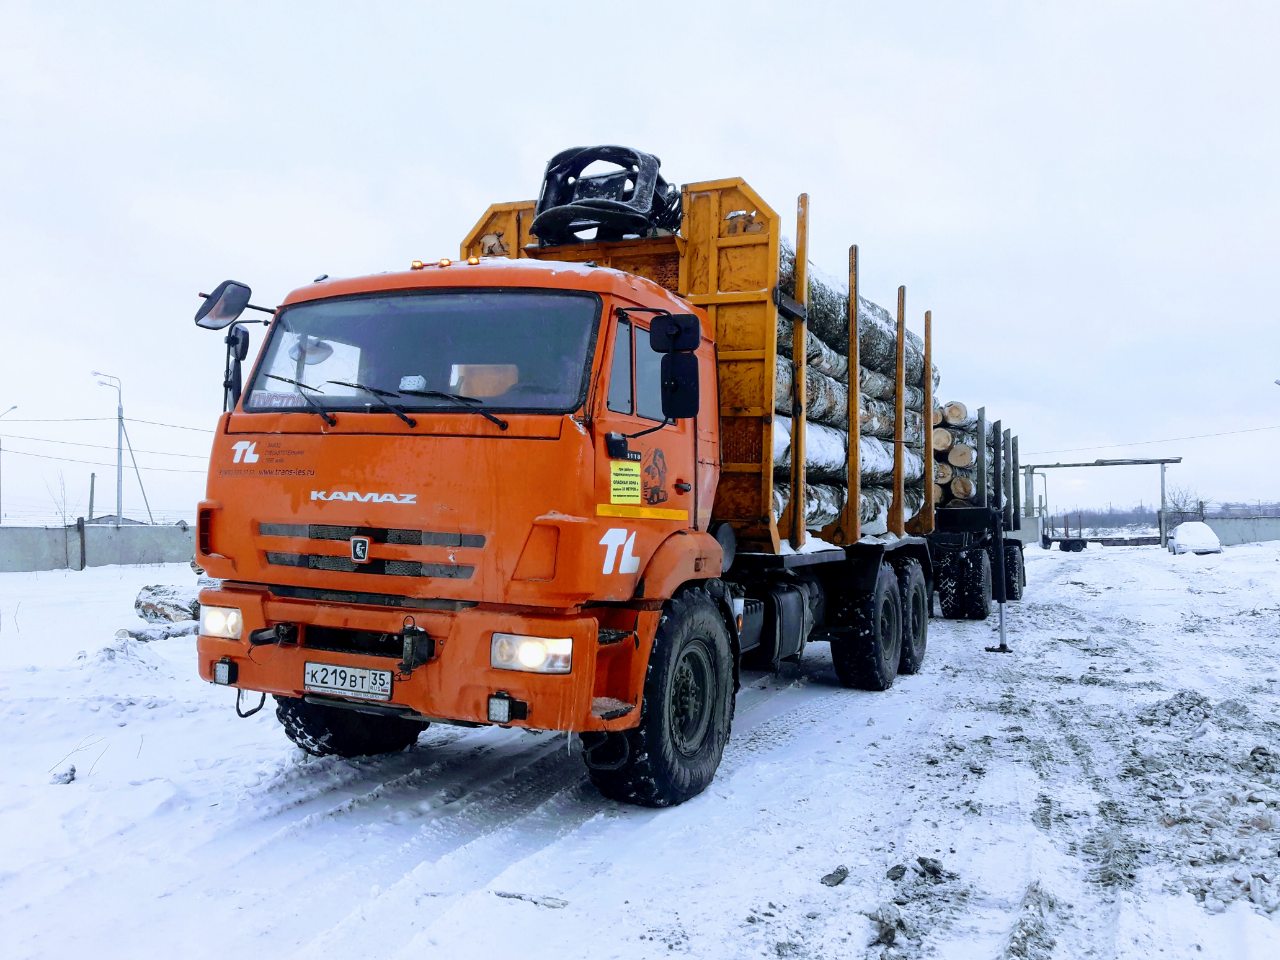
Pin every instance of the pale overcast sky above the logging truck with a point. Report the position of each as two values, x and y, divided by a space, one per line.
1085 194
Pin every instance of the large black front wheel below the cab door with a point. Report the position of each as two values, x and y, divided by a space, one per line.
685 716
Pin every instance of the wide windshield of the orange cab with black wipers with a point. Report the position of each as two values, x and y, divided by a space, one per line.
509 350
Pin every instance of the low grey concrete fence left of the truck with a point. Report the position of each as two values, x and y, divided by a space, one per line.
26 548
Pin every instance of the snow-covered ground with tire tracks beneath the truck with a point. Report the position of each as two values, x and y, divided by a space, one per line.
1110 790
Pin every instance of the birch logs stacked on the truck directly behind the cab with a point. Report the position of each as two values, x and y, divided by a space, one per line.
828 408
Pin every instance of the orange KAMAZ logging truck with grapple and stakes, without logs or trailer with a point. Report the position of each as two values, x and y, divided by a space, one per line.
536 487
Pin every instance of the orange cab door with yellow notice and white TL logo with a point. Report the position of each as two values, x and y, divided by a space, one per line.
646 477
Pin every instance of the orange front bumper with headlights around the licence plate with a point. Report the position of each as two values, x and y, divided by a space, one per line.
458 683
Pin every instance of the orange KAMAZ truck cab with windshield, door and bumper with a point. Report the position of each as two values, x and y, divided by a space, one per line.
431 450
